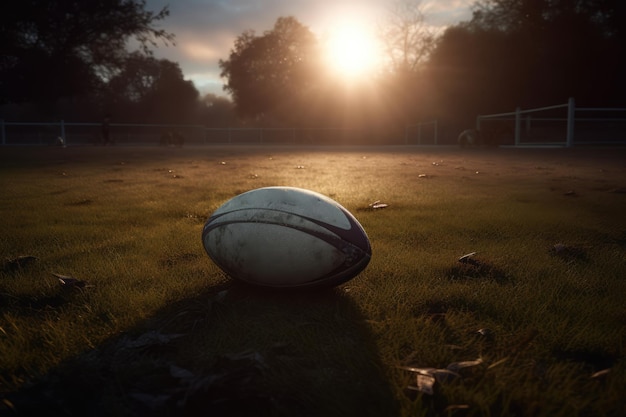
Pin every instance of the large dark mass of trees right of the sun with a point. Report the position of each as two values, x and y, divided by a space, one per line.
529 53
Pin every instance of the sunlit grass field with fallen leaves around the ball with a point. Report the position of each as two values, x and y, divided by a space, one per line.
534 326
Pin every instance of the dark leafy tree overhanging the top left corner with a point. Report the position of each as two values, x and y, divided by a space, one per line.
58 48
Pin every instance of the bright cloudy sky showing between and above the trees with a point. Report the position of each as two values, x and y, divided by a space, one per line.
206 29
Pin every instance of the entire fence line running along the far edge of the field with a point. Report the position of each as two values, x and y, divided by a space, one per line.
558 125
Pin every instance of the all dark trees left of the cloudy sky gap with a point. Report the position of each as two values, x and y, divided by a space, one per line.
69 60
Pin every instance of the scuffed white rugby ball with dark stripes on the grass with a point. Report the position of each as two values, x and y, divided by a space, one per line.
285 237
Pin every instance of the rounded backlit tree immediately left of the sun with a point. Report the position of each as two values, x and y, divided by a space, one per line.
273 72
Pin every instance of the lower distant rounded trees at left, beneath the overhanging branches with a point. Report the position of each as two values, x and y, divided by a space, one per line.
145 91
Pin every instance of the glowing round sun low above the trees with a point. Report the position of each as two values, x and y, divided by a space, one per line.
352 51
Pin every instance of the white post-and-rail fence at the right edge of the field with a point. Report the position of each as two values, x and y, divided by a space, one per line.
558 125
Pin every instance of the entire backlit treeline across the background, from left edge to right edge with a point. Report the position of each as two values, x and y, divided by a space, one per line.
73 64
